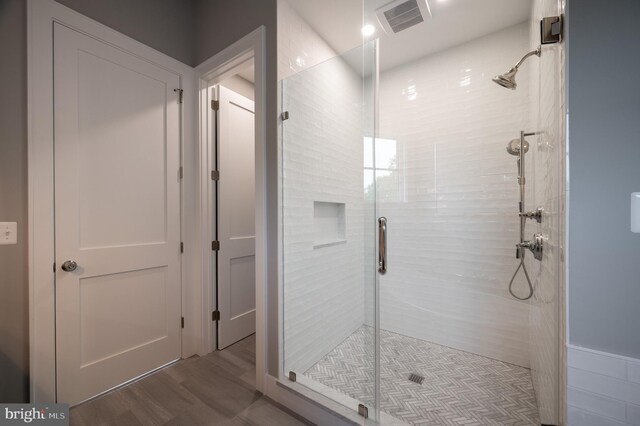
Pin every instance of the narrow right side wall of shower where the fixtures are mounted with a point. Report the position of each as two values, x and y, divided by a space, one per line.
546 190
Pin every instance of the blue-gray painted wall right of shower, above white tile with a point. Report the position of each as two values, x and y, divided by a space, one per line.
604 167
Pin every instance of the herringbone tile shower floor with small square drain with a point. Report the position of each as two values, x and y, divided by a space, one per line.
460 388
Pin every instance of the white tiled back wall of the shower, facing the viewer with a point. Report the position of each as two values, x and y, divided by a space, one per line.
452 201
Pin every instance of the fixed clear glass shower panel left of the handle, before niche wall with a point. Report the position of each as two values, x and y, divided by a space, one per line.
329 228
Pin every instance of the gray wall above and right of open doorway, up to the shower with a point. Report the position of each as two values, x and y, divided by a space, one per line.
219 23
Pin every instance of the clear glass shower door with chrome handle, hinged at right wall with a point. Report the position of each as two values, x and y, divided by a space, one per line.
455 345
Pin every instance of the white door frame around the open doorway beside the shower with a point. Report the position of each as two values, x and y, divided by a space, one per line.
213 71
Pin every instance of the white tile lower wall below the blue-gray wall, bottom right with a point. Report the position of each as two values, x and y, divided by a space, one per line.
602 389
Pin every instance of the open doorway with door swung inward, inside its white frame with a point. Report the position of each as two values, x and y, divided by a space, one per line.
232 164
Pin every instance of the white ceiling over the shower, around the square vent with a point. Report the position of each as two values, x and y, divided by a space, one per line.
453 22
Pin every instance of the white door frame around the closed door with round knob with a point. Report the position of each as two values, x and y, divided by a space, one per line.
40 17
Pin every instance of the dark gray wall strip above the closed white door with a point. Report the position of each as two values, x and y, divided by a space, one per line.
165 25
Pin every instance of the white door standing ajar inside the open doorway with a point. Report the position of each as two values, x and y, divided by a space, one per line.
236 219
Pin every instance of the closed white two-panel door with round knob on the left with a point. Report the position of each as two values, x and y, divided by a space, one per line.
117 214
